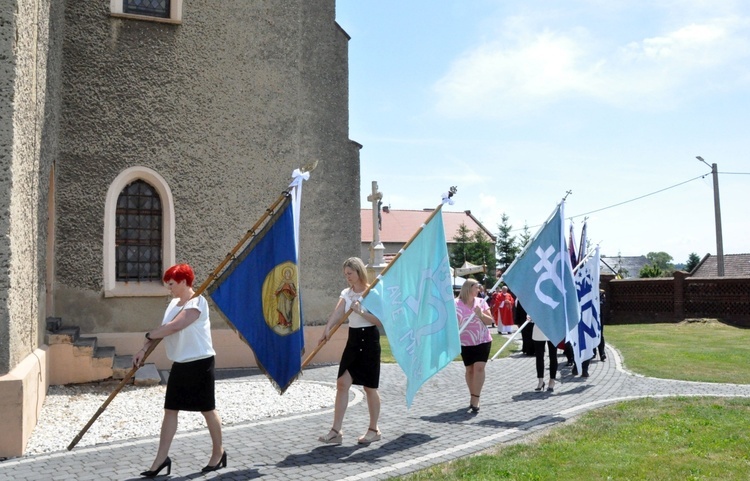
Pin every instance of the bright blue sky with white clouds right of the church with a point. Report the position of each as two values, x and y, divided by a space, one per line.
517 102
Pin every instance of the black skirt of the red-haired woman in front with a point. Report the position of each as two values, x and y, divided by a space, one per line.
191 386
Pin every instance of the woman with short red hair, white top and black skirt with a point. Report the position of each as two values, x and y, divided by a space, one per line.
186 330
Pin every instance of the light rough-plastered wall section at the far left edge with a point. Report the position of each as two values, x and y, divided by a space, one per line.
29 51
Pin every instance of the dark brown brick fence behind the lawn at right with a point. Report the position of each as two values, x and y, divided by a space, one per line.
673 299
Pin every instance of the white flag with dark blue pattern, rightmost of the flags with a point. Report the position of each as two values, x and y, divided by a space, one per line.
587 333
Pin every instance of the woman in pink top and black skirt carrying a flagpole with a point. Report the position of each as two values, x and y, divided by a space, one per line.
476 339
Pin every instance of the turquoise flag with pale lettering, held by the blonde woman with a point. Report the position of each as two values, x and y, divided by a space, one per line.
414 301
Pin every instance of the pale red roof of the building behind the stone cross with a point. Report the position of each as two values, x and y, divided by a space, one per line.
401 225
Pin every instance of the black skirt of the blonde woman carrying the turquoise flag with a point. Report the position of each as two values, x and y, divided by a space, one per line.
361 356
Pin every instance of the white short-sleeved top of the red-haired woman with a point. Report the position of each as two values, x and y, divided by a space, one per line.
193 342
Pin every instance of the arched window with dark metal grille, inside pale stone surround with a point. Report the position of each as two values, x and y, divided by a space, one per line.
138 233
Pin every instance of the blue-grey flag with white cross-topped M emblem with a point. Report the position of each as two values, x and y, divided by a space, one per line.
542 279
